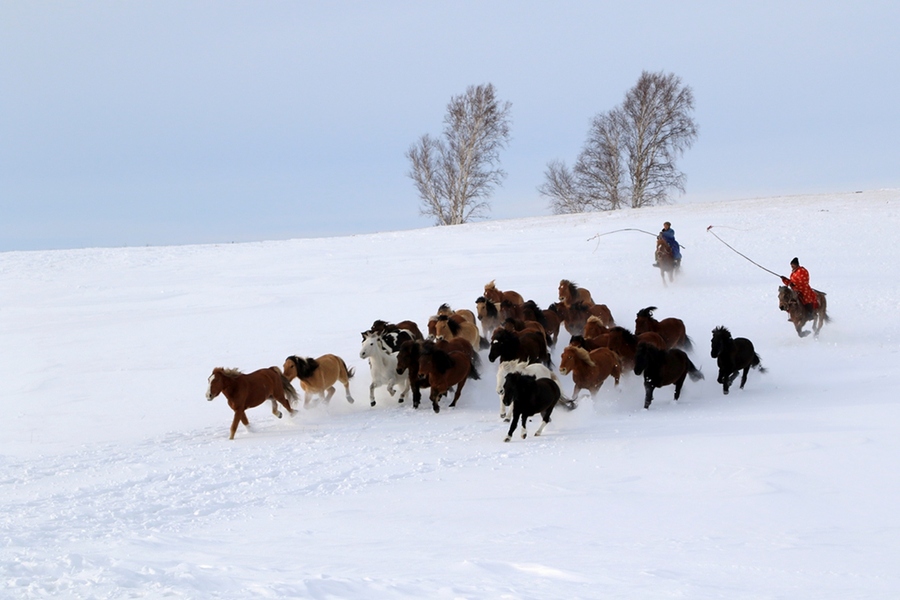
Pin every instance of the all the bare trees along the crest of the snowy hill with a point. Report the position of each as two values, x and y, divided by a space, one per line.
628 159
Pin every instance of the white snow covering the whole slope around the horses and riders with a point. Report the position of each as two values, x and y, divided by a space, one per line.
118 479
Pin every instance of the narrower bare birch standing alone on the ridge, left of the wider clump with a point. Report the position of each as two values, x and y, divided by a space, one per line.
457 174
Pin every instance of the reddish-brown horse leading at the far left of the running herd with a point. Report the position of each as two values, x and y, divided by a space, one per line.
245 391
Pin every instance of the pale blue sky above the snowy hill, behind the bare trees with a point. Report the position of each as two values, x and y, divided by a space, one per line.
176 122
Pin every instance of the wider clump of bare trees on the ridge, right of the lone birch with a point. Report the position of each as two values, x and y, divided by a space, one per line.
630 153
